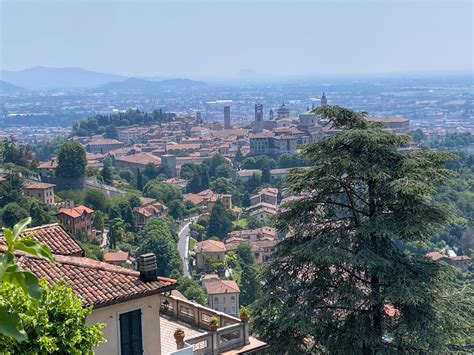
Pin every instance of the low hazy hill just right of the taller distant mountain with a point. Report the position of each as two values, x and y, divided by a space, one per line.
143 86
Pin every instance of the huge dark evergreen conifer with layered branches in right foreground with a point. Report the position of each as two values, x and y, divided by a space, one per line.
342 281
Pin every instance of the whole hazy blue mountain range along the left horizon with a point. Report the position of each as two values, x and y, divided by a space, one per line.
43 78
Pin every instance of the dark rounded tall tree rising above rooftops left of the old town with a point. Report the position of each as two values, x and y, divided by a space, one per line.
72 160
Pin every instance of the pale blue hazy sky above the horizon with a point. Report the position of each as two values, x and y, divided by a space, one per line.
221 38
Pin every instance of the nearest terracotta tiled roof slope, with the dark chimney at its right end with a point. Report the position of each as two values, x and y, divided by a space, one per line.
95 282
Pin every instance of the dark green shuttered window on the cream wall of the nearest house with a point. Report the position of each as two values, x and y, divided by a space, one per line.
131 333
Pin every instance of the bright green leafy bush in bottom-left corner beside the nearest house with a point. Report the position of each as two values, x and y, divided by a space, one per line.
56 325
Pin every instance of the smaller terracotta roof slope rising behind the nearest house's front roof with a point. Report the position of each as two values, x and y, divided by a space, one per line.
55 237
